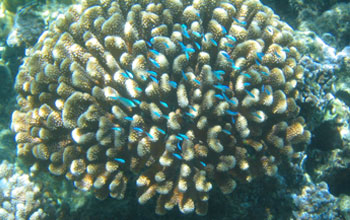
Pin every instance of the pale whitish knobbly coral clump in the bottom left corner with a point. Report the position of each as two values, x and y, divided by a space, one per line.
20 198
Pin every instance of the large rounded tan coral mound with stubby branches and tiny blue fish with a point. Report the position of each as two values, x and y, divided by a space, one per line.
184 94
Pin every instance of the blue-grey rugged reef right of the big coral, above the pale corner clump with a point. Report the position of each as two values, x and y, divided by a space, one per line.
326 99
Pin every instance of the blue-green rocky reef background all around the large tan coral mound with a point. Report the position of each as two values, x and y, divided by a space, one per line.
318 188
